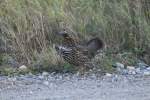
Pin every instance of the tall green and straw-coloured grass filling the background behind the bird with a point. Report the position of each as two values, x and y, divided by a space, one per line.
28 27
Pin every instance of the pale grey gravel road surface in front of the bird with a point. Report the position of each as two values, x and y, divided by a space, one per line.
47 86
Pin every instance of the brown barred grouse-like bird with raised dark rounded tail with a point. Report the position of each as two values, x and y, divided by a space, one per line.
76 54
